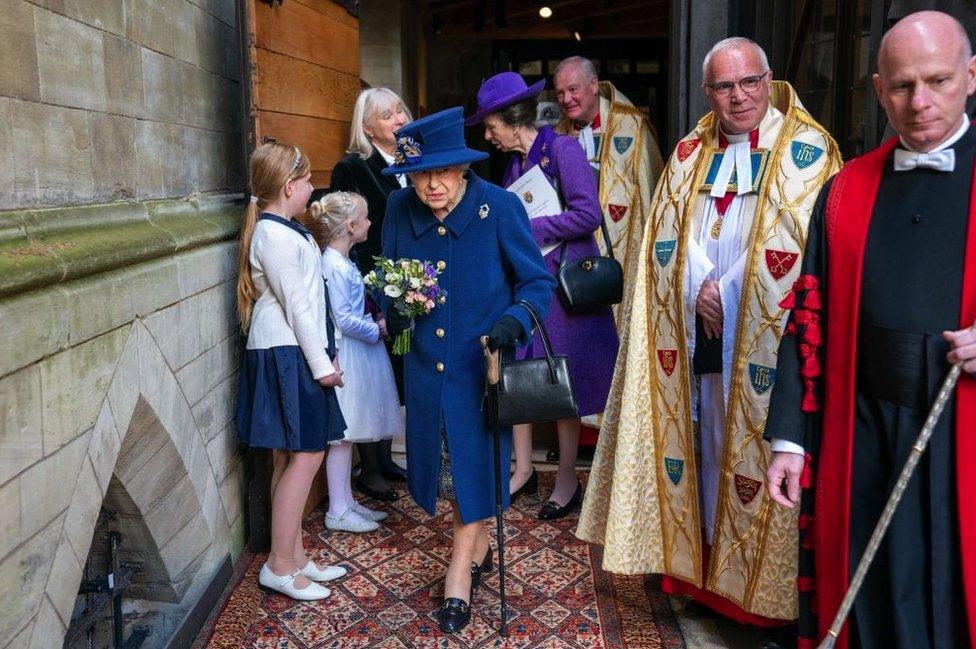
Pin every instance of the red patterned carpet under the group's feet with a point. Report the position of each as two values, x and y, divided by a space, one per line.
558 596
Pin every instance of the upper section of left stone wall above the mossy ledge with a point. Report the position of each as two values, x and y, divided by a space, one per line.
117 99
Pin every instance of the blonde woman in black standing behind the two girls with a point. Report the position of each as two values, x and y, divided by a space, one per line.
378 115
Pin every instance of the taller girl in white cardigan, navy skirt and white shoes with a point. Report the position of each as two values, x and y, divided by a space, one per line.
286 400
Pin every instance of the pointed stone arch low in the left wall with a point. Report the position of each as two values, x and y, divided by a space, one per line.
147 458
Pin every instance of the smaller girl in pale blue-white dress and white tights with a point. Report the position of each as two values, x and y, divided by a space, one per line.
368 397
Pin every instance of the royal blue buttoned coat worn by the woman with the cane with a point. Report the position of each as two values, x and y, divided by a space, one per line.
491 262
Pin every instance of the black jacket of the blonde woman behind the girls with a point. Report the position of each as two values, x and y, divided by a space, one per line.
353 174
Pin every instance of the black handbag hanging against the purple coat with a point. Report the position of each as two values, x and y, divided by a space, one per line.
590 282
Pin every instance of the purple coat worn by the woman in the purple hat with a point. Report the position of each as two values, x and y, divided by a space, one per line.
589 339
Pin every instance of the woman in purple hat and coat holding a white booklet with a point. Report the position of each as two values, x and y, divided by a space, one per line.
508 109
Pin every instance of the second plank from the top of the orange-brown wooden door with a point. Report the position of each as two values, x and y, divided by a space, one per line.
288 85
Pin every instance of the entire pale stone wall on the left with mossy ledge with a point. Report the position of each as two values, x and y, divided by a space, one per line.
121 168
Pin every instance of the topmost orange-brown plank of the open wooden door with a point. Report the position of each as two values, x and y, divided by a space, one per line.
301 32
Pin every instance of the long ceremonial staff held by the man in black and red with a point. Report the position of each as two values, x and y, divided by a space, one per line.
889 511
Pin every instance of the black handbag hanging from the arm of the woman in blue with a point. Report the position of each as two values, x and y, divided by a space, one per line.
535 389
